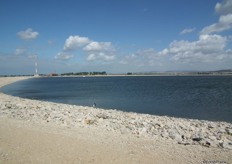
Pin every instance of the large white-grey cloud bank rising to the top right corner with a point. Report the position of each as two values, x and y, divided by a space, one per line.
208 52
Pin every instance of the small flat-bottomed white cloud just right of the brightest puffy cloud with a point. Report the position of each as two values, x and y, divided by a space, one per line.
98 46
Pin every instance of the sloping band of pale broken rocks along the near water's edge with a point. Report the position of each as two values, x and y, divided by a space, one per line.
180 131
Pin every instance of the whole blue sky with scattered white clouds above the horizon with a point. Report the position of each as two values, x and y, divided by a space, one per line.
116 36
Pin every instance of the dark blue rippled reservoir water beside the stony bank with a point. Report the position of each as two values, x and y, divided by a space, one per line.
207 98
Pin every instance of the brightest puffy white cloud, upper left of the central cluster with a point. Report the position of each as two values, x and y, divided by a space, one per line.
75 42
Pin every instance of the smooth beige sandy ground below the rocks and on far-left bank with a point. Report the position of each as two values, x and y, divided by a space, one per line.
23 141
